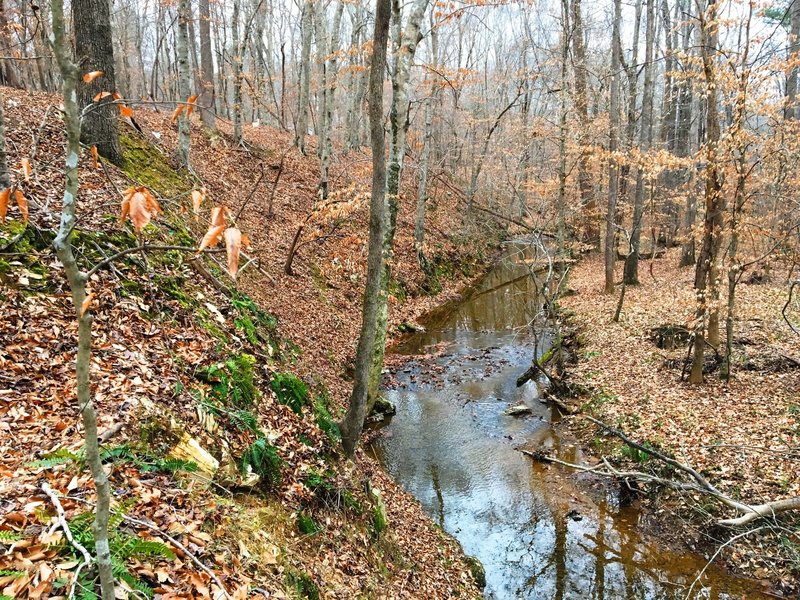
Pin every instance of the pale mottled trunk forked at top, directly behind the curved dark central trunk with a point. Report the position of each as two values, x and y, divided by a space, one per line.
406 47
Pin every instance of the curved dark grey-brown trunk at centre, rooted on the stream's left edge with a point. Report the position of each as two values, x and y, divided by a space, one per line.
357 409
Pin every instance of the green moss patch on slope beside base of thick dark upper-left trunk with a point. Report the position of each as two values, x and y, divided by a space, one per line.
145 164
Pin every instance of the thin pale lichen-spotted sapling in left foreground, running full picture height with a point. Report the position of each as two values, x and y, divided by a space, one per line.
77 283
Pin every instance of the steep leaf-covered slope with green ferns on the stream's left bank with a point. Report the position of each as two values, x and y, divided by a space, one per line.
247 375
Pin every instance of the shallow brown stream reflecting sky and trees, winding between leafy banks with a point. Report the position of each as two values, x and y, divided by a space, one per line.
538 533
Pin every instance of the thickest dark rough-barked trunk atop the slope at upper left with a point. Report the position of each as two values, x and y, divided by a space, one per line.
94 50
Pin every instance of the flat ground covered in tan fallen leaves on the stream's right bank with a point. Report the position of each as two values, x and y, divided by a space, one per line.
743 435
